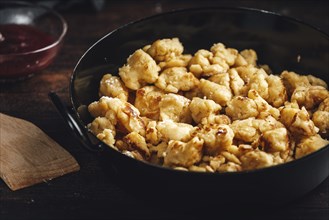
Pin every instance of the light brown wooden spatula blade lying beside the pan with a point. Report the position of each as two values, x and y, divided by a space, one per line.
28 156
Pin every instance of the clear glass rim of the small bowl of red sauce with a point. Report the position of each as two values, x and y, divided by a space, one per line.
57 41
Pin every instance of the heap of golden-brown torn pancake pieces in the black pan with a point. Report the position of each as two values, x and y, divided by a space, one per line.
216 110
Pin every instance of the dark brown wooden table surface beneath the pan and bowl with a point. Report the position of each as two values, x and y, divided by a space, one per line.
91 193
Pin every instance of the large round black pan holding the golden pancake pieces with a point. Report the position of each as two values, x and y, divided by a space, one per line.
278 41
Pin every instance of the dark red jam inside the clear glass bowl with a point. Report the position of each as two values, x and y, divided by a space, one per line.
17 39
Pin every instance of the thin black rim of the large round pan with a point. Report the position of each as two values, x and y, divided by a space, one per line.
104 147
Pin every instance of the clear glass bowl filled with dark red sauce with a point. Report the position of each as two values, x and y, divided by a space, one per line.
30 38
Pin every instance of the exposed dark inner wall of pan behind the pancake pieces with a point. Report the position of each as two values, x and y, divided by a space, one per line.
278 41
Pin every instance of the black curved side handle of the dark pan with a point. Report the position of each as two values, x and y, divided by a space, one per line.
81 133
